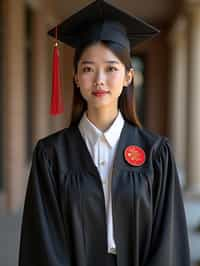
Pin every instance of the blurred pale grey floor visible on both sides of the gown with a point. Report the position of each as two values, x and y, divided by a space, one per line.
10 234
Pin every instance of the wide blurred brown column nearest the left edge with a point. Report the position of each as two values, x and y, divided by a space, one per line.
14 106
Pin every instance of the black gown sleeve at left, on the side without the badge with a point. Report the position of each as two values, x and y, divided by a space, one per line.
42 239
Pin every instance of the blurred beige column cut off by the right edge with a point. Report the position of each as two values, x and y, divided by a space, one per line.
193 96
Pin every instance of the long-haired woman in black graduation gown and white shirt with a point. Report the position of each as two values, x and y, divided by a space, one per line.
103 191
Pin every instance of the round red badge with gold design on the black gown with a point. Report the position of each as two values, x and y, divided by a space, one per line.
134 155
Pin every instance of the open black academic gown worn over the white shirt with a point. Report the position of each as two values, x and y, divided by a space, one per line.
64 221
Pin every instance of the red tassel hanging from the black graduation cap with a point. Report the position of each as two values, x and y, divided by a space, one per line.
57 106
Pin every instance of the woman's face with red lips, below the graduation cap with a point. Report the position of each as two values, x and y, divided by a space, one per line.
101 77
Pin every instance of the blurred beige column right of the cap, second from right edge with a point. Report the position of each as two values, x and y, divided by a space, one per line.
178 90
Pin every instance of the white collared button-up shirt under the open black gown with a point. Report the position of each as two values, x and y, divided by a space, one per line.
102 147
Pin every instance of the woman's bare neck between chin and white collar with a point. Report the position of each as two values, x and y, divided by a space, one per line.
102 119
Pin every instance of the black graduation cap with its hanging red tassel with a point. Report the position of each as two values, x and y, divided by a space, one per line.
97 21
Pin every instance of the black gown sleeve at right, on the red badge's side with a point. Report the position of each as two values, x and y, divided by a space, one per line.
169 242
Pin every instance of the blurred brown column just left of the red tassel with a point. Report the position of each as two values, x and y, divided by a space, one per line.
40 91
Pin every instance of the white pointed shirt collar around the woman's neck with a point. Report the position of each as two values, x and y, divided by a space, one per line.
90 131
